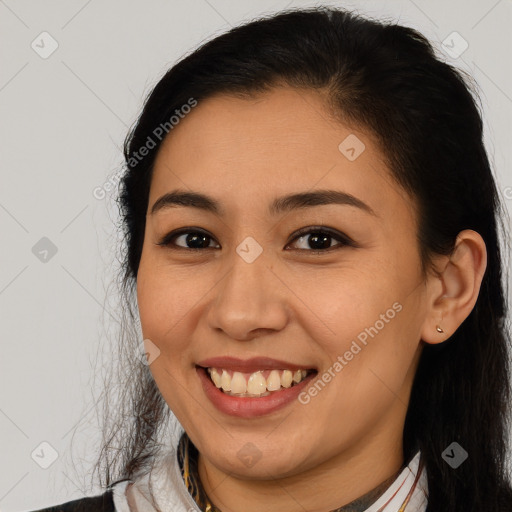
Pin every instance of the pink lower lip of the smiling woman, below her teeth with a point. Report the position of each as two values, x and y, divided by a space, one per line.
246 407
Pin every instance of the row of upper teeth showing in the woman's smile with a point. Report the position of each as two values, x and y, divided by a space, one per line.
255 383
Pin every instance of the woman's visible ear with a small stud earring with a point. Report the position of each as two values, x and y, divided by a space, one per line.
453 291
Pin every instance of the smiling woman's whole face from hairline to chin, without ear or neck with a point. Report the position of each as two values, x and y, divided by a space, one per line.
345 302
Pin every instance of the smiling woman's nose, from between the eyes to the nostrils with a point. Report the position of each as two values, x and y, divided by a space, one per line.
249 301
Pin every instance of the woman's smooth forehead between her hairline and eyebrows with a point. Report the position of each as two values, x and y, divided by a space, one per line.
269 145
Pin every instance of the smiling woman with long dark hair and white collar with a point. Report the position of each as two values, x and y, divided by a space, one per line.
312 239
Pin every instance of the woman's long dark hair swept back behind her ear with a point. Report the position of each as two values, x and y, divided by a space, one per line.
386 79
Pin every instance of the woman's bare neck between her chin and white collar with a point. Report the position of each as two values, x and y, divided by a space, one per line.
343 483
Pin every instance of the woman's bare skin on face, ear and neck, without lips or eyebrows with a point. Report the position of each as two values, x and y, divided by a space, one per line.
292 304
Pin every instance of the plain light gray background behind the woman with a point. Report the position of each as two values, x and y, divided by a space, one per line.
63 120
